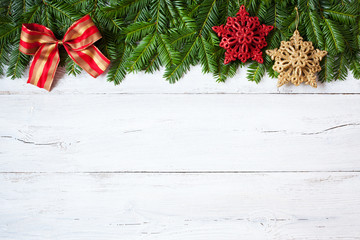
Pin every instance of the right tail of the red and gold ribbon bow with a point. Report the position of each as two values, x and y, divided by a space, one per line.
90 59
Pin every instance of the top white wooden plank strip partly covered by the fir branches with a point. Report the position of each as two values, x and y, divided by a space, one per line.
193 82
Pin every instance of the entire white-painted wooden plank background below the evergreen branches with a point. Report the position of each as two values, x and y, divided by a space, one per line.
195 160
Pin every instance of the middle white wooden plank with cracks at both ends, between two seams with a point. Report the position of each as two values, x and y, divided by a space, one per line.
172 132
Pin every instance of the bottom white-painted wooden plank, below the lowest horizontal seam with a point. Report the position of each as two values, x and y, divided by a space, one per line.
297 206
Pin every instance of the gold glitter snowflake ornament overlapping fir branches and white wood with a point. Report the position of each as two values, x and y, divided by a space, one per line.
297 61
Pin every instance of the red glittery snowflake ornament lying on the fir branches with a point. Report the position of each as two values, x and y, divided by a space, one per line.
243 37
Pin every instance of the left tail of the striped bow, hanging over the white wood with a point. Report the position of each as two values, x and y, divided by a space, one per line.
44 65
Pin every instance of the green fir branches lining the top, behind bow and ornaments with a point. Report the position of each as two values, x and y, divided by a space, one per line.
144 35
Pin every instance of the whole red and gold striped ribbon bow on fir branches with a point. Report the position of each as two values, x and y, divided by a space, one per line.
78 41
